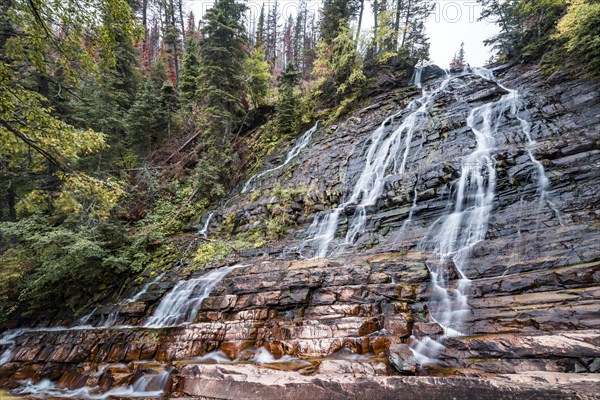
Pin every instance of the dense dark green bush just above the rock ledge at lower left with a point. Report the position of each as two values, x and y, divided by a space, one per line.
61 266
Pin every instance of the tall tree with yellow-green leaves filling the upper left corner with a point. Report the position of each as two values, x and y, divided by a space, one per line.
40 69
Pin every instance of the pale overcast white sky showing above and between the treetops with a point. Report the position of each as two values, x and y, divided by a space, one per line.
452 22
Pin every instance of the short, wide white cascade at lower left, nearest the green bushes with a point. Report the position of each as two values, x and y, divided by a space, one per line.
182 303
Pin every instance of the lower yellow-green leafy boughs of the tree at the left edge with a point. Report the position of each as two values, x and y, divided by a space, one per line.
32 137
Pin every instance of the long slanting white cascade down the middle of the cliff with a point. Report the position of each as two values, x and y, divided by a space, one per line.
386 155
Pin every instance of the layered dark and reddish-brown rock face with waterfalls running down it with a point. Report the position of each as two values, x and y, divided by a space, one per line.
476 267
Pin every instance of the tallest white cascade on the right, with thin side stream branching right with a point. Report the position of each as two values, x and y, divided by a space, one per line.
467 224
